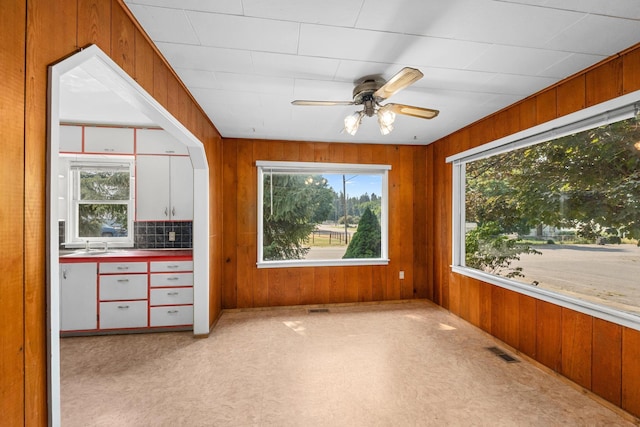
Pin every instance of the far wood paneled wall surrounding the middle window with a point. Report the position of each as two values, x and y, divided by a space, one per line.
244 285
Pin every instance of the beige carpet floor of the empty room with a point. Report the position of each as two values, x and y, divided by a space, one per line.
404 364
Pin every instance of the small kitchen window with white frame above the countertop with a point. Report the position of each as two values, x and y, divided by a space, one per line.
101 201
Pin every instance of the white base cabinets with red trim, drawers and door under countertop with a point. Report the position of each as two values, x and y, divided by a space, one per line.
111 295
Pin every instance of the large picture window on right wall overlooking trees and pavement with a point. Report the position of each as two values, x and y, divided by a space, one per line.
557 214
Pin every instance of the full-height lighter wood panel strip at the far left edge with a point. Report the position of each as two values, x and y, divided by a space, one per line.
12 334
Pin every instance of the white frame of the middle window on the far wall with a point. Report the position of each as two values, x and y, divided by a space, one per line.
326 168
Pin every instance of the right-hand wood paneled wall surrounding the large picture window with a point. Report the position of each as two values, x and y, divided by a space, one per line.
598 355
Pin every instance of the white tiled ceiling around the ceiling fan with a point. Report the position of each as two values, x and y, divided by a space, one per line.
246 60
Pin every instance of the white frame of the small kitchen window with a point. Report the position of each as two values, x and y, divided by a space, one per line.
74 166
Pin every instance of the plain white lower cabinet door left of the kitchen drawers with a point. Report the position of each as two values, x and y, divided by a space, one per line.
78 295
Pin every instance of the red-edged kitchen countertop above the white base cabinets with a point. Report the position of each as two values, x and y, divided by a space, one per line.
125 255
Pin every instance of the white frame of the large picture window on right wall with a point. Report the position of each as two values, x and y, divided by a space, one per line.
617 109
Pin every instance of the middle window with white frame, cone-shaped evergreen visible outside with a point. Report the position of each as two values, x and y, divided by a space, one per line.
312 214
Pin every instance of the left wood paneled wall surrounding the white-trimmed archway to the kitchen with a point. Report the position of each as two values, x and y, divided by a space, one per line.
34 35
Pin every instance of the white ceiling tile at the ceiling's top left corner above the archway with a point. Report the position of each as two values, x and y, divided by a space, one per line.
164 24
